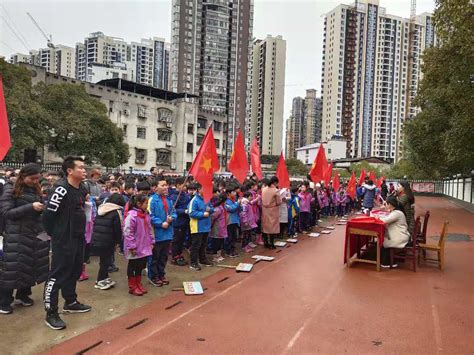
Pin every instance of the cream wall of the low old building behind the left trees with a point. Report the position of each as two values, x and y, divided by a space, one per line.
171 127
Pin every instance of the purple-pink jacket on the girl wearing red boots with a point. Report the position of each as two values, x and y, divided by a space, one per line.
137 234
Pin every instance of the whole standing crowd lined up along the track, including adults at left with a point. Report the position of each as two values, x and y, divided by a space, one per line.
149 221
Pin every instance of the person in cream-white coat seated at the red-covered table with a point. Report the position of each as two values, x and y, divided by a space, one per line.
396 230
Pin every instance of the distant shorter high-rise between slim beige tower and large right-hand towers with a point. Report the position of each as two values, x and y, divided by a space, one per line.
304 123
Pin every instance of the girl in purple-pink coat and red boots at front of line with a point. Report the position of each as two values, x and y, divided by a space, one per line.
138 242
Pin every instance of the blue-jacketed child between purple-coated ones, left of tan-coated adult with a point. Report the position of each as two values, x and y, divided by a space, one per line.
232 206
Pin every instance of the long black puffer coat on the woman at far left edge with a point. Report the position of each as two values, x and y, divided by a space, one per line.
25 260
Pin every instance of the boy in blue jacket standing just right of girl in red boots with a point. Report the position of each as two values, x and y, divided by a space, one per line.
162 216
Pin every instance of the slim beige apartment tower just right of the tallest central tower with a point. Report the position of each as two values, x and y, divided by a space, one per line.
267 94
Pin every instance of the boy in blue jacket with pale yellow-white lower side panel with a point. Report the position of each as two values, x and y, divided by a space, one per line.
200 226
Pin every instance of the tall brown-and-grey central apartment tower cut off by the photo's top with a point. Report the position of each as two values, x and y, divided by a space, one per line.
210 47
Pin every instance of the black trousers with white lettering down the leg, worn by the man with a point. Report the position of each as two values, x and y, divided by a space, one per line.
66 268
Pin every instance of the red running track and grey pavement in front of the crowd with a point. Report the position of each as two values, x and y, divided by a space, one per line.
305 301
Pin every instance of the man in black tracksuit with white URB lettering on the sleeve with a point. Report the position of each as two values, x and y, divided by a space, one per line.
64 219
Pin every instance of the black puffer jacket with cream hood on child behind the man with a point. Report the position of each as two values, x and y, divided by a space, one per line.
107 227
